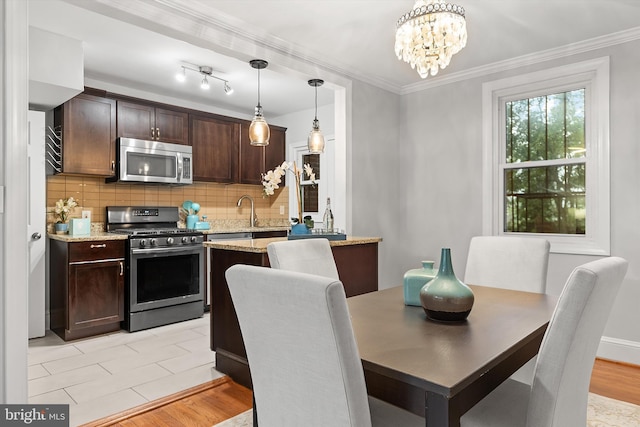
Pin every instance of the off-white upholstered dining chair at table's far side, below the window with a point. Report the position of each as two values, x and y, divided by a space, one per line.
509 262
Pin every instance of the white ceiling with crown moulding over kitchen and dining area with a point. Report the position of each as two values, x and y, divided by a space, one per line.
140 44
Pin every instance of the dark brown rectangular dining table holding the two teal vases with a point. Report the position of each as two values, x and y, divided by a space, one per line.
439 370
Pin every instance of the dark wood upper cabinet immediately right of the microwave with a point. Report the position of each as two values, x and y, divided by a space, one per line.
215 148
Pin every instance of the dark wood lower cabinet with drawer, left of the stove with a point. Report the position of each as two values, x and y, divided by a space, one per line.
86 287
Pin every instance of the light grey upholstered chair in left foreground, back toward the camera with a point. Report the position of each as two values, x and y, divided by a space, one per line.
304 361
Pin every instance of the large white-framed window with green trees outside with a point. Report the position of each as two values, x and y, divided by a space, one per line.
546 157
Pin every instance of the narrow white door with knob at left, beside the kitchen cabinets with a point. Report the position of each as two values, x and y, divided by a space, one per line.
36 231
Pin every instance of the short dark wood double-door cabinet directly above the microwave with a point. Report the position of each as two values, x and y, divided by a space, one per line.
149 122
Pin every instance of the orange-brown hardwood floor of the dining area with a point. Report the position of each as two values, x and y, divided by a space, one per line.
221 399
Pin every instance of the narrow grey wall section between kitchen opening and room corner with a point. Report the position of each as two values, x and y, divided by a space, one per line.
377 204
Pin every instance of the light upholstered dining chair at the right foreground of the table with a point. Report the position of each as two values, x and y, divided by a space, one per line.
559 393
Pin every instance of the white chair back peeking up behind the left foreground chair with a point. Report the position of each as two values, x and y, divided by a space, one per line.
312 256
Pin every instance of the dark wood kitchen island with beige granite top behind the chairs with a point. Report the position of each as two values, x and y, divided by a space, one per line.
357 262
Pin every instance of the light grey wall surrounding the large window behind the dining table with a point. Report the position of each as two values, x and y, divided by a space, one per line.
441 174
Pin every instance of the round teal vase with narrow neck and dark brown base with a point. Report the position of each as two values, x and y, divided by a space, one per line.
445 298
